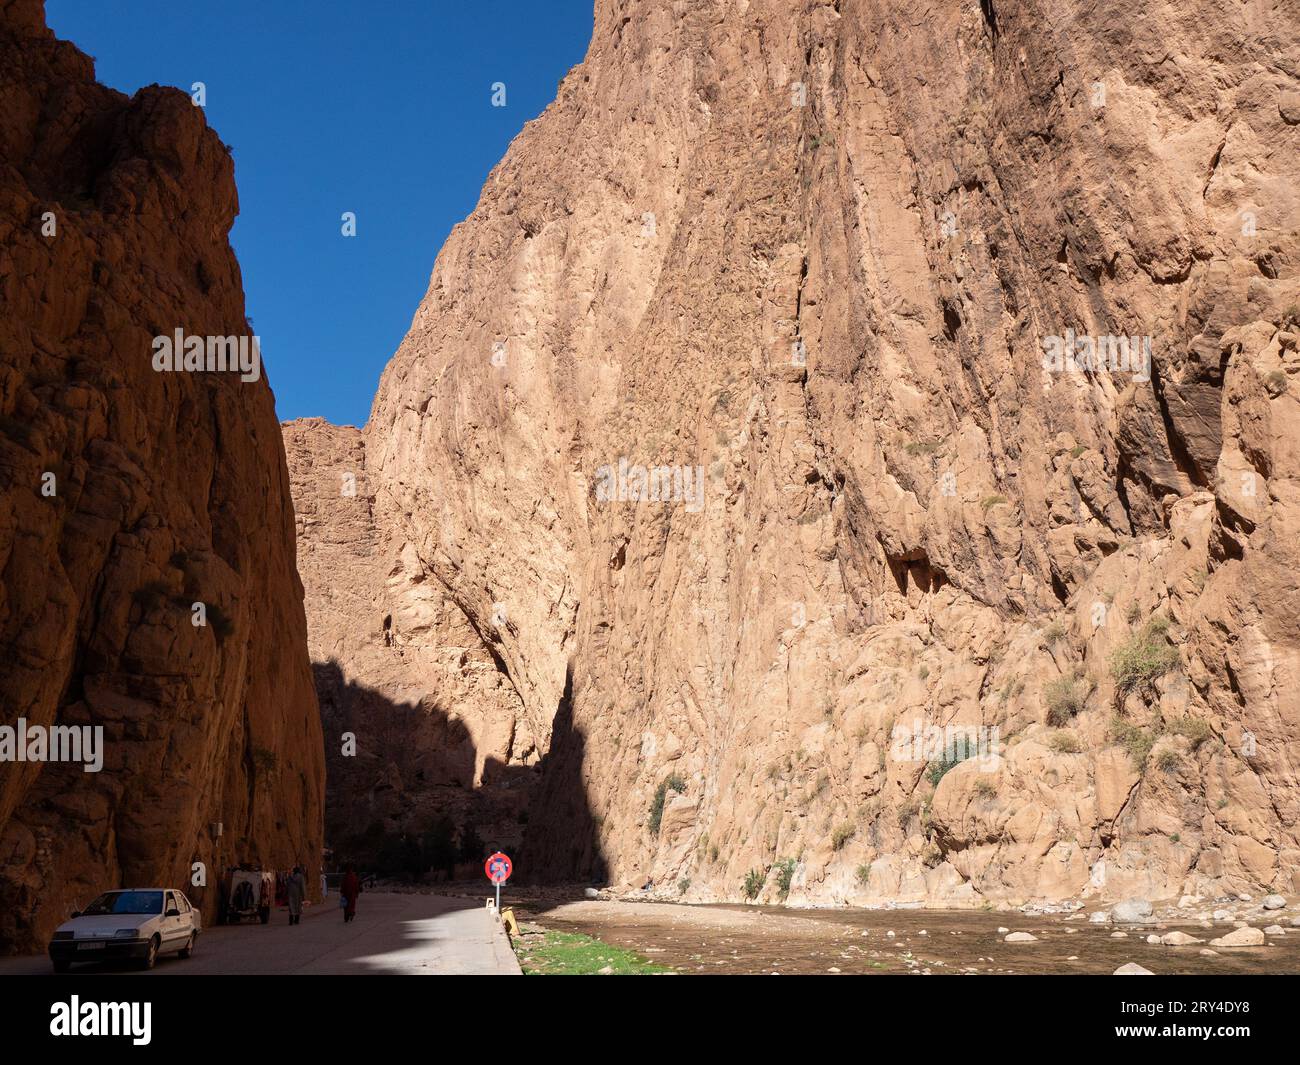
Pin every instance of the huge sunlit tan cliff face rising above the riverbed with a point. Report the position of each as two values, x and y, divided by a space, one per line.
774 404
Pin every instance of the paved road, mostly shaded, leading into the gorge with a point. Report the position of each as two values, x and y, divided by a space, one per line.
393 934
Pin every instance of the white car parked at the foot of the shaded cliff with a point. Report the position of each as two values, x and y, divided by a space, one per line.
135 924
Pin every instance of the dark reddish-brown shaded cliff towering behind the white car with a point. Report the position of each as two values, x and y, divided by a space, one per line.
127 497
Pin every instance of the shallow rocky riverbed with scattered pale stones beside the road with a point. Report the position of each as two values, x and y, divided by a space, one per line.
1181 938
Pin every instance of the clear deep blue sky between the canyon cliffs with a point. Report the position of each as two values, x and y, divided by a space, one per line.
382 107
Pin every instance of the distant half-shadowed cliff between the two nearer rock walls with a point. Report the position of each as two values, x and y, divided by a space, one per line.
422 725
